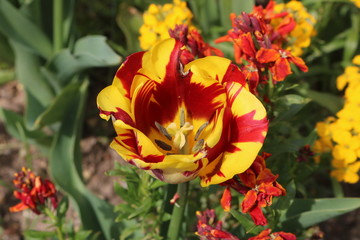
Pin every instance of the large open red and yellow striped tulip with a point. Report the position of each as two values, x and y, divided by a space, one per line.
179 121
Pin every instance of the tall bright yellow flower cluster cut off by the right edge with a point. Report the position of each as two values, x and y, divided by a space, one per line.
341 135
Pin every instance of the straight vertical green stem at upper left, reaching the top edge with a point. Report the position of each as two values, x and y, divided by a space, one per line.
58 24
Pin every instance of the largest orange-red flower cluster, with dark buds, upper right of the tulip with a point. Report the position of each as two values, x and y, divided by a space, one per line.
258 46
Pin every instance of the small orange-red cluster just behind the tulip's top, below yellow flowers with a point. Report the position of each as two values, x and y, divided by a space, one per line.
195 45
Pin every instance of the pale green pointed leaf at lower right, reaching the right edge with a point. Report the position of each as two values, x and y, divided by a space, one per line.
304 213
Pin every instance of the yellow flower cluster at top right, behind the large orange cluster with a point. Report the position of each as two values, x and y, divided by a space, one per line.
300 37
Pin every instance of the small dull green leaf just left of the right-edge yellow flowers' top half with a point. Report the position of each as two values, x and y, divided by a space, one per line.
331 102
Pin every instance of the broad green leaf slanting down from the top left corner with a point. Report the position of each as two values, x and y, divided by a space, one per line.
21 30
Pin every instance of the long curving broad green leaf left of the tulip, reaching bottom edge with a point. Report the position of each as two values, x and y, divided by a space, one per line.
64 165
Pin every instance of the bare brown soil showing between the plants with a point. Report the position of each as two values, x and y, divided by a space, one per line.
97 159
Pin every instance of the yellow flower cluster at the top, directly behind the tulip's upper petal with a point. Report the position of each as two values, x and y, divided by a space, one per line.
158 19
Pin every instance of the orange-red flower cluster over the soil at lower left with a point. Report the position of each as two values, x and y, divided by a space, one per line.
32 191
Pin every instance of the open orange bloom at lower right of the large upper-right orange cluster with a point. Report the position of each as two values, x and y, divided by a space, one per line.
280 62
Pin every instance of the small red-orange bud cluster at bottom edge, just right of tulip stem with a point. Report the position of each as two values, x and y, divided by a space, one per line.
210 229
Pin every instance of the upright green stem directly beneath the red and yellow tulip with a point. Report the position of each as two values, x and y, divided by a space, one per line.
178 212
